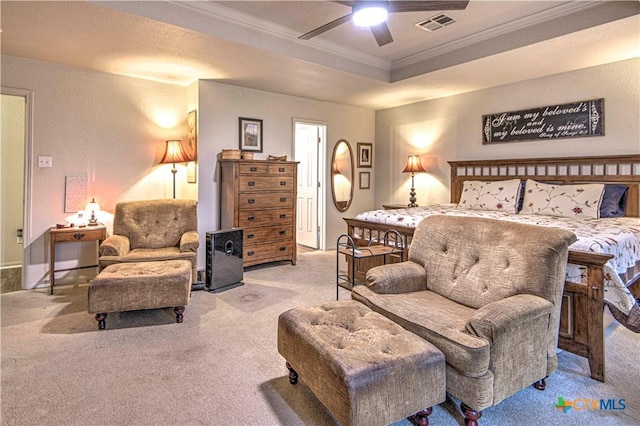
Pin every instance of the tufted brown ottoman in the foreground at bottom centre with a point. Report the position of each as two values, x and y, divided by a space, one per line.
363 367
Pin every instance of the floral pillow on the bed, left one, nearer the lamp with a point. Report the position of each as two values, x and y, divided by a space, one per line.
498 196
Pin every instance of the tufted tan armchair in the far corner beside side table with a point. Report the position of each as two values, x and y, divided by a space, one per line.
153 230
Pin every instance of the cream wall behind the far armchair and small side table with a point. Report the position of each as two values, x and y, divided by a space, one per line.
109 127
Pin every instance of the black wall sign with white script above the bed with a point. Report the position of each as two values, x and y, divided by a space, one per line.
575 120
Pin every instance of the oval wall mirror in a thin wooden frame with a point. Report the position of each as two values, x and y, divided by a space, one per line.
342 175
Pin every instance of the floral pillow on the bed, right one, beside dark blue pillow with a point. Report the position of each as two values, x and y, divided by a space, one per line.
581 200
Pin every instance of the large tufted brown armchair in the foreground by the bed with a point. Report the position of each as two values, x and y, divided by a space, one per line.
487 293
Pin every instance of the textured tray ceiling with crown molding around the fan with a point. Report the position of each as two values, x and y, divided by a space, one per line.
254 44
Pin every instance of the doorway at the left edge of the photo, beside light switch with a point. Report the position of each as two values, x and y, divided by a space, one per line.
15 110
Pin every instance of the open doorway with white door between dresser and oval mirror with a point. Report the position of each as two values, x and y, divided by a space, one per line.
309 143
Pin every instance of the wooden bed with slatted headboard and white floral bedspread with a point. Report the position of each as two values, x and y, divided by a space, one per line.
604 271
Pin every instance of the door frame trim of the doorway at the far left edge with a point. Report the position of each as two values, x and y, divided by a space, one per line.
28 149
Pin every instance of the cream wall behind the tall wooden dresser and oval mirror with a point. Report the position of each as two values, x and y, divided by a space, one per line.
221 105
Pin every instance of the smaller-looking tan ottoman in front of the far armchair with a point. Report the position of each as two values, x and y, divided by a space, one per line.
145 285
